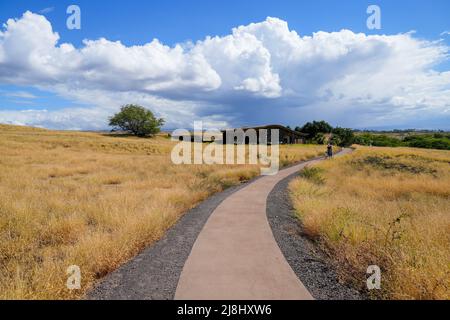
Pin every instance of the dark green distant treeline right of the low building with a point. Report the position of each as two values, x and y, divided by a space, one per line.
321 132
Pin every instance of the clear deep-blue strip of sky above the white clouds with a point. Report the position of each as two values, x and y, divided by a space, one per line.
174 21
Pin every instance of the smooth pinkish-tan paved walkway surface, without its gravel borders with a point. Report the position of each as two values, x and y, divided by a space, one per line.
236 256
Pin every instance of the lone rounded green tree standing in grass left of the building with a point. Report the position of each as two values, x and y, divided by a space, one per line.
136 120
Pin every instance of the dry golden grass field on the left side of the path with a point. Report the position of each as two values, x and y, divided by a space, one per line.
93 200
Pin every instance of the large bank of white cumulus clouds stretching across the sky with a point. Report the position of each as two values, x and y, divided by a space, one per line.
262 72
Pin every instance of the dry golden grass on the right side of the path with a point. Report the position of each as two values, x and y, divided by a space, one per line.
383 206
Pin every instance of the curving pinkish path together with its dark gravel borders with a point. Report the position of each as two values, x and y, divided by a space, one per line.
225 249
